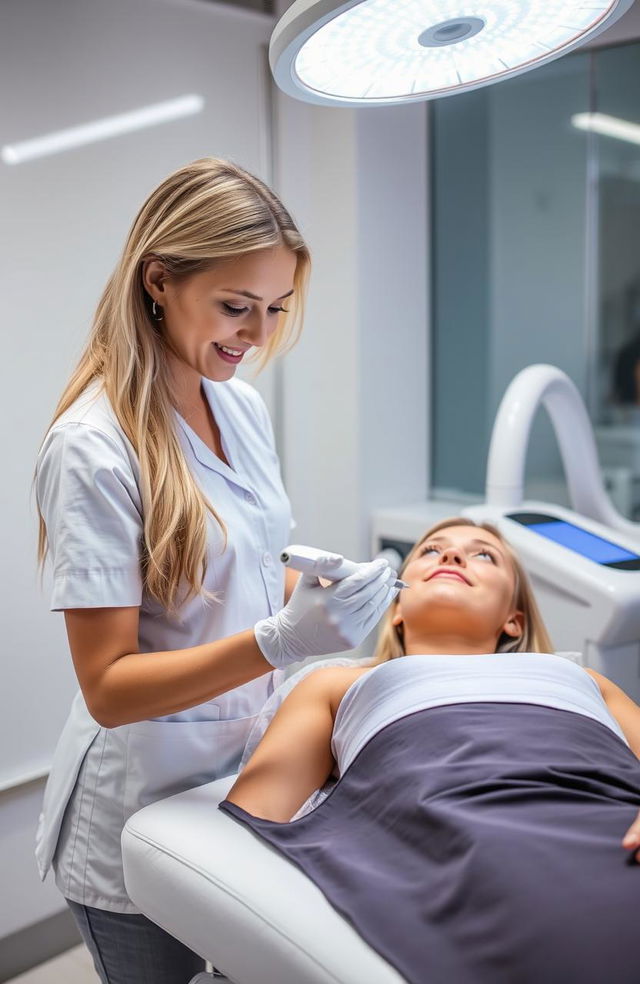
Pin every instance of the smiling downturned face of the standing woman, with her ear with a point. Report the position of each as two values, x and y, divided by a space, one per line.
211 320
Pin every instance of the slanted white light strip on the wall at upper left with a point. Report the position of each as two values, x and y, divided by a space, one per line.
110 126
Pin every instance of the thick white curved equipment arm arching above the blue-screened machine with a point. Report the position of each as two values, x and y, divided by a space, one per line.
548 385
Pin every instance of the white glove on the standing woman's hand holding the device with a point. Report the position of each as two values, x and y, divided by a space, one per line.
318 620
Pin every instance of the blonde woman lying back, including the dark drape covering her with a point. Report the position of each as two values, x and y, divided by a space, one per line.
485 784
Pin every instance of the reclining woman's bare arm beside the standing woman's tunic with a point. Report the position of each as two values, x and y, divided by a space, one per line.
294 757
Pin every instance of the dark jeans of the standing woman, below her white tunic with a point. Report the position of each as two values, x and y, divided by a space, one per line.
130 949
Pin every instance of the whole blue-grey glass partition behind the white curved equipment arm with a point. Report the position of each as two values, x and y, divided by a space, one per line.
536 258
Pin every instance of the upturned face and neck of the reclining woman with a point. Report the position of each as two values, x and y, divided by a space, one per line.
461 595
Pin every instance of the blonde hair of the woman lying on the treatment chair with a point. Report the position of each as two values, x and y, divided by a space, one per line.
534 639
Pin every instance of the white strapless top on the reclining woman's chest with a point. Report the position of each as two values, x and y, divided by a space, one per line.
401 686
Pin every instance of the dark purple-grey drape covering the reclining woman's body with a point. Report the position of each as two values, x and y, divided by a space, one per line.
480 844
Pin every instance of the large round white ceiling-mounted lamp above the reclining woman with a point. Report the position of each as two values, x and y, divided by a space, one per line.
380 52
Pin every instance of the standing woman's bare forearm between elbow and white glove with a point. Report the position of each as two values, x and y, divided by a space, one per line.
138 686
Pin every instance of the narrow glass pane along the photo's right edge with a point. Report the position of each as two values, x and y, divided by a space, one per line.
616 365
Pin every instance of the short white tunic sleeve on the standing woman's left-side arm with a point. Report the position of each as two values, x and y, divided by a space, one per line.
90 501
